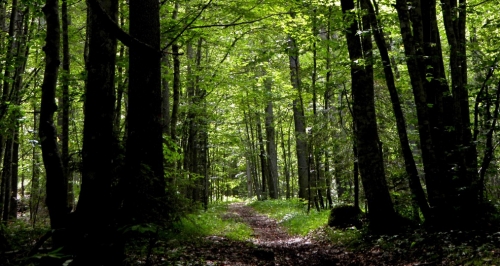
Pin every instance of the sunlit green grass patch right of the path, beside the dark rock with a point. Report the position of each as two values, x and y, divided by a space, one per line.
292 214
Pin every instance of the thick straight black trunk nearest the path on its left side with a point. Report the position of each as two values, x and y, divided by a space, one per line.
144 152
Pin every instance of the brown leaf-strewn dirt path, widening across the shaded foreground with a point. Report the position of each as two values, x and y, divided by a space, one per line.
271 245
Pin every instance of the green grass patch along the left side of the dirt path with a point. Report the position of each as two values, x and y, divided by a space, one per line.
210 223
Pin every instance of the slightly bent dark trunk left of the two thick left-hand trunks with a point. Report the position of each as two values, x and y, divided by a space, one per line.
57 192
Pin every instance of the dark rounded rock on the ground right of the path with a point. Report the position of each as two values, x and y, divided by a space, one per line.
344 216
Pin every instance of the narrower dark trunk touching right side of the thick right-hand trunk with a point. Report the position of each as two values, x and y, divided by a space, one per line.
454 17
